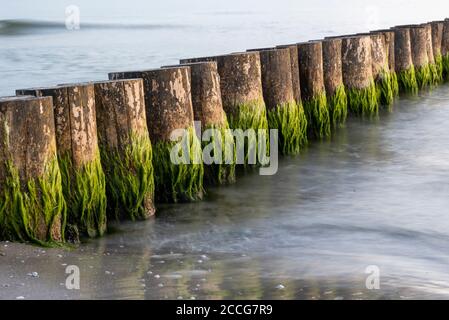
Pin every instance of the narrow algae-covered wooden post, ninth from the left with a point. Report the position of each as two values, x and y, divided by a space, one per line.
333 81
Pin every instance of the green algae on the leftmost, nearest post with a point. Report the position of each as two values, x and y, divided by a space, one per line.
30 210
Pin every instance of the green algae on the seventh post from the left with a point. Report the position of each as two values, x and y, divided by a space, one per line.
291 122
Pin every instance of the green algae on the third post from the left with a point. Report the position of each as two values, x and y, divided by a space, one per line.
129 179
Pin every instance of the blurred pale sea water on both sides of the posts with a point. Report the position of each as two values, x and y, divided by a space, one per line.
377 194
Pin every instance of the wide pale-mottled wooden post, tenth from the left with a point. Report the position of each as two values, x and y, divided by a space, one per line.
358 76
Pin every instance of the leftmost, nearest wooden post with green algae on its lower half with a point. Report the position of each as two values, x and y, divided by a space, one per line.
32 203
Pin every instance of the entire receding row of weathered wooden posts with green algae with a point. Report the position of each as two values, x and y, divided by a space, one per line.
74 156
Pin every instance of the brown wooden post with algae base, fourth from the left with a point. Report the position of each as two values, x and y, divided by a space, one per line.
178 169
